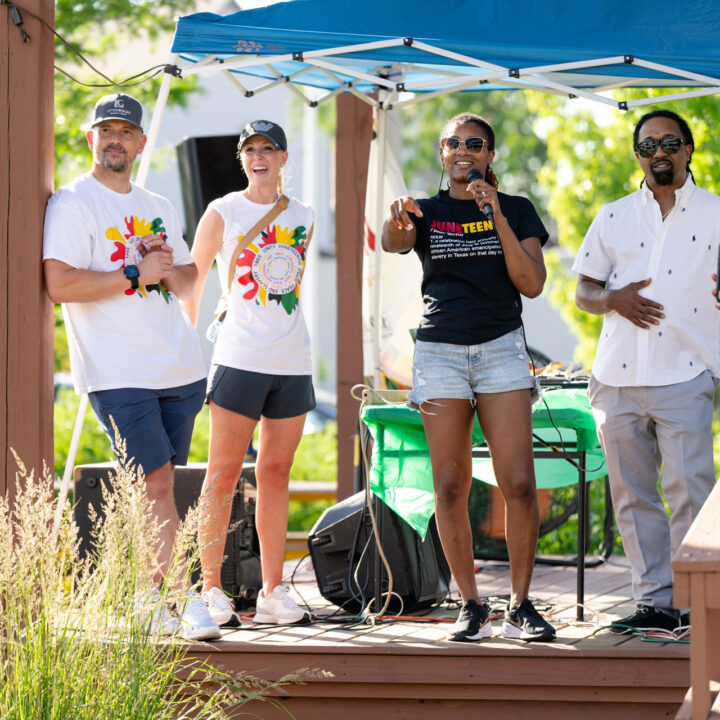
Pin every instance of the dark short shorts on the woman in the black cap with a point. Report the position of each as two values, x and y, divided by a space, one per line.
260 394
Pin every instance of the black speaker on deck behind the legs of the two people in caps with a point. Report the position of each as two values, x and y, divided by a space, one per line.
240 575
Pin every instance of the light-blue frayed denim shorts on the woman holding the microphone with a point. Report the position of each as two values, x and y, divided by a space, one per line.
446 371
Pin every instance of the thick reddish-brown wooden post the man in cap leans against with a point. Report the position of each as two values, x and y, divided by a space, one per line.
26 181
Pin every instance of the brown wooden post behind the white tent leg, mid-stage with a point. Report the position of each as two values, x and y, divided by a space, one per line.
354 133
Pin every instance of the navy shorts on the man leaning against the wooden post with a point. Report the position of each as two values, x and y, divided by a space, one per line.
156 425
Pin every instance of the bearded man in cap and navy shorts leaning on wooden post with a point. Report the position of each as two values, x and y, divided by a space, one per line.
114 256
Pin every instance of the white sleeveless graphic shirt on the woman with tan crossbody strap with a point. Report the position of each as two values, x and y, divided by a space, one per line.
264 330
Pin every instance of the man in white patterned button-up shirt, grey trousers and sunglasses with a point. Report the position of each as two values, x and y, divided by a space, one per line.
645 265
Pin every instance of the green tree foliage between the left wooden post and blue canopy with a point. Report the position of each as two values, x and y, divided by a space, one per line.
96 28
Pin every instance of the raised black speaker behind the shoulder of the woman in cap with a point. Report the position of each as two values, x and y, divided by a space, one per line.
209 169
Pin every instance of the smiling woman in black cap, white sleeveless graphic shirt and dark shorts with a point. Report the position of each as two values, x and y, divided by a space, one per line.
261 370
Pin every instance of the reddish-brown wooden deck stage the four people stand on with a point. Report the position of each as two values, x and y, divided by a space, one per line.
406 670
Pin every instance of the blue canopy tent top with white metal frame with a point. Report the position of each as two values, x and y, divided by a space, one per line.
575 48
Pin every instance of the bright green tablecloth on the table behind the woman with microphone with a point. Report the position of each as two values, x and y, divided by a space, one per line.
401 475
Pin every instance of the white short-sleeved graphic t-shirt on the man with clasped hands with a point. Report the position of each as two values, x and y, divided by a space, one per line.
140 338
